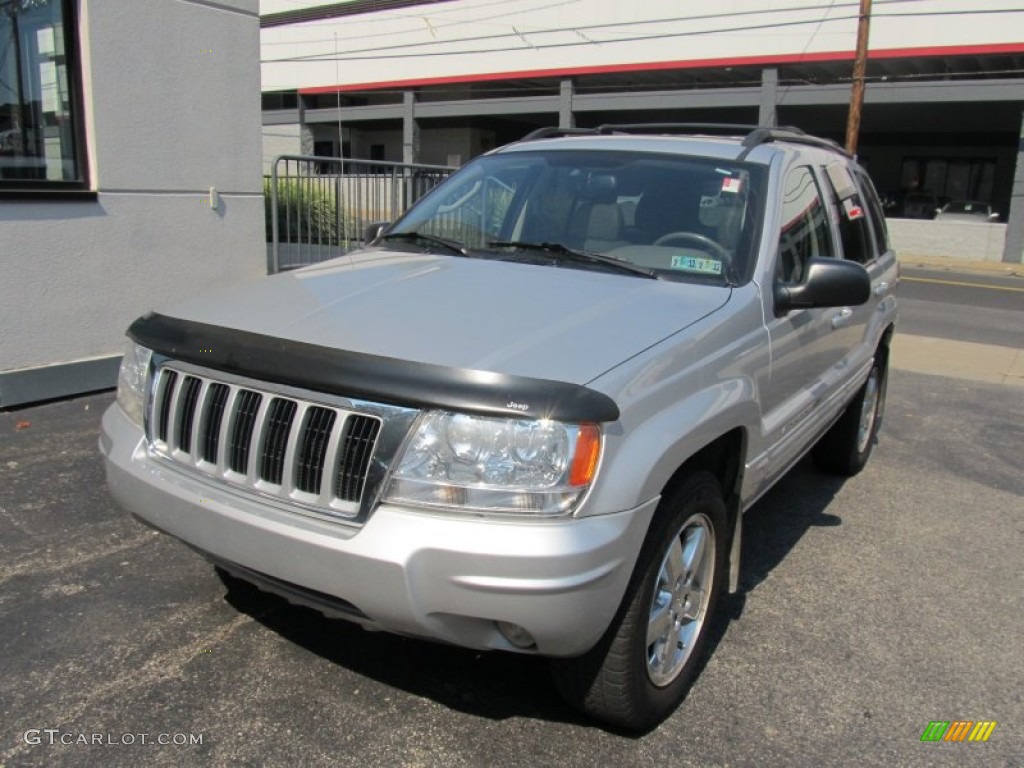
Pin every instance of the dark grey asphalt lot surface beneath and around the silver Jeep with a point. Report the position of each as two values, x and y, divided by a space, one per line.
870 609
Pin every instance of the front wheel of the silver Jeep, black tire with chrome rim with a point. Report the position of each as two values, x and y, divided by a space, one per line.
643 668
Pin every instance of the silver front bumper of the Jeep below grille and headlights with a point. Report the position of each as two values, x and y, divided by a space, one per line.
480 583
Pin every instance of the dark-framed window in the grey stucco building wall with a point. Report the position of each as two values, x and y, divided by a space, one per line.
40 145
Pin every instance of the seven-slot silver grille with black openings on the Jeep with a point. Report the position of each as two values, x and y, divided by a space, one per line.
287 447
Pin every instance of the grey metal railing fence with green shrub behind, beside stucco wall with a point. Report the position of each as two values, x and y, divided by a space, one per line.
319 208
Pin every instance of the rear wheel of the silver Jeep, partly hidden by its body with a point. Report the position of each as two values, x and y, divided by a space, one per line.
845 449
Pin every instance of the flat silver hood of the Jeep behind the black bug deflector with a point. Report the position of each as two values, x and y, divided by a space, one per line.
551 323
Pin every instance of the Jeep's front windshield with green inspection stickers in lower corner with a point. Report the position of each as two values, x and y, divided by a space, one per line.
676 218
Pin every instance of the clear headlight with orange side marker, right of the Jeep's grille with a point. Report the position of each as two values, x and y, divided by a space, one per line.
477 463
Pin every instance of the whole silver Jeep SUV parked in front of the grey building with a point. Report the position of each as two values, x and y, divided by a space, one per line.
531 415
